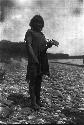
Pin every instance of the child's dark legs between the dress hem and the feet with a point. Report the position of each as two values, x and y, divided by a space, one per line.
35 89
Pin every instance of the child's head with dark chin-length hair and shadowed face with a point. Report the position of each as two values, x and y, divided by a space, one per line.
37 23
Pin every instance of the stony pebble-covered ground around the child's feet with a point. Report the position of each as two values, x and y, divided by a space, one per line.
62 94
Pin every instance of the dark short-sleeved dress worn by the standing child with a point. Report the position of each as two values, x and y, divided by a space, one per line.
38 42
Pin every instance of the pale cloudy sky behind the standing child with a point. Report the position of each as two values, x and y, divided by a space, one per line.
64 22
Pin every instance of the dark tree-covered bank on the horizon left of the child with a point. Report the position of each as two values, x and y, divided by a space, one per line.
12 48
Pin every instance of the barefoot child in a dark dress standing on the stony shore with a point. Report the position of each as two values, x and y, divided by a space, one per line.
37 46
